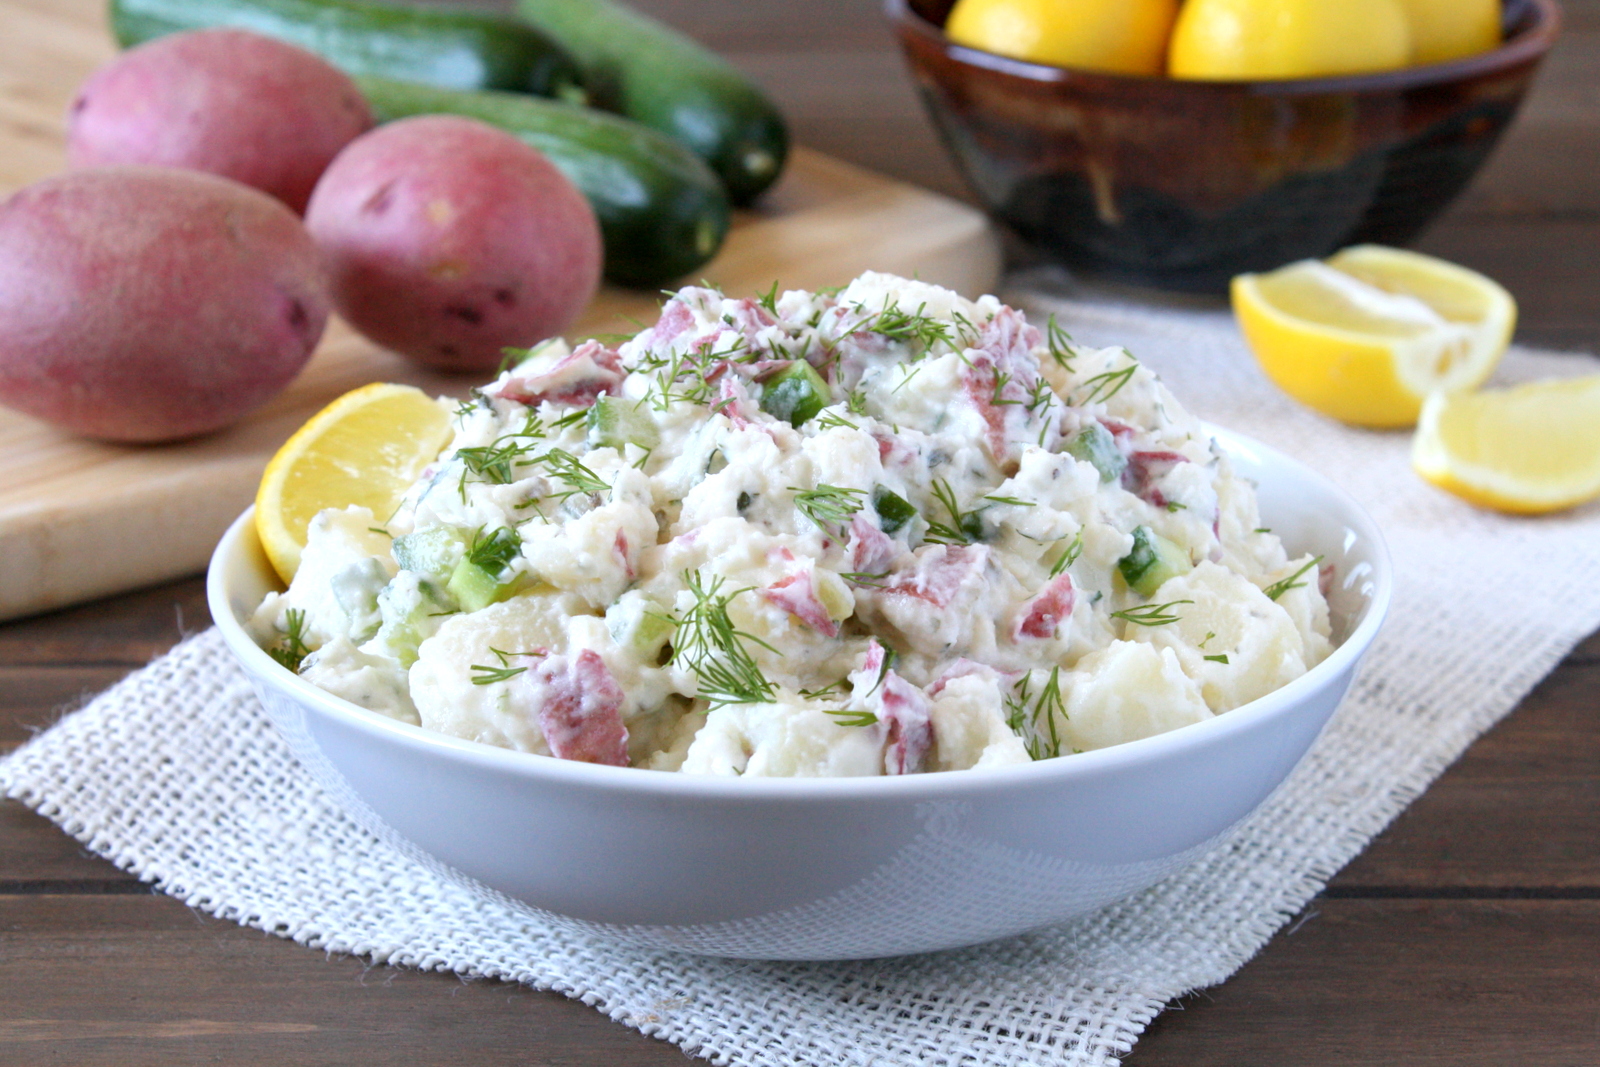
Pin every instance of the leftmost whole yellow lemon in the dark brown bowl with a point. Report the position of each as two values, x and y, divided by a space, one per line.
1116 36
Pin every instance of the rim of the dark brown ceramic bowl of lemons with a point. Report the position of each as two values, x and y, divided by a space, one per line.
1524 47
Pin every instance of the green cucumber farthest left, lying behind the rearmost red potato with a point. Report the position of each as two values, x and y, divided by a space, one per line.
450 49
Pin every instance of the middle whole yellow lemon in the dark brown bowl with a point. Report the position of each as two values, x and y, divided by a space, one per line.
1289 39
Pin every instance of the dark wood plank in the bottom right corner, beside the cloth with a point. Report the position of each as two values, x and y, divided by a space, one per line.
1415 983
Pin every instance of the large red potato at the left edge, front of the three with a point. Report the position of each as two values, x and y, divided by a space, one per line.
148 305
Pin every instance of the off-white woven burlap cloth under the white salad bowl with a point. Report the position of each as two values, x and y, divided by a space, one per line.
177 777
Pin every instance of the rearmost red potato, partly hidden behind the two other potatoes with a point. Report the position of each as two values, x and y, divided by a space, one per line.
222 102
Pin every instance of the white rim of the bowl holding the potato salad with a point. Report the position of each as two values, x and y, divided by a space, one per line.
905 788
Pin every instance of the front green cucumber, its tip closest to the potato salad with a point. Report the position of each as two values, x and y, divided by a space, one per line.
662 210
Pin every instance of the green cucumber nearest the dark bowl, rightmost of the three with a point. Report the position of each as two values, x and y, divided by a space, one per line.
650 73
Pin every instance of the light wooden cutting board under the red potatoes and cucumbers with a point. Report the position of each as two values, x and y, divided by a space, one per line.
82 519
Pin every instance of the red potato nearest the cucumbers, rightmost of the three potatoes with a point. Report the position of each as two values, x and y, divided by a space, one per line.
450 241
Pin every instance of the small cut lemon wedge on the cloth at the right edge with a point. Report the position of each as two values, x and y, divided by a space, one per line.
1527 450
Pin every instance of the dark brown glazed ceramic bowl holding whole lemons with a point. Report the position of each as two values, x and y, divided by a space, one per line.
1183 185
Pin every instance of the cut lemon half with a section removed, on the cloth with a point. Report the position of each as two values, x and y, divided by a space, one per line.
1370 334
